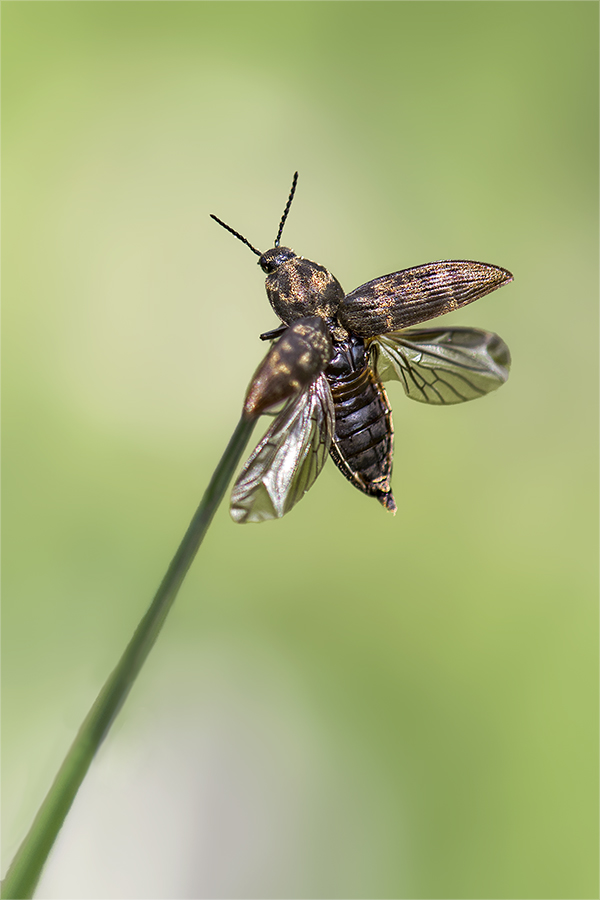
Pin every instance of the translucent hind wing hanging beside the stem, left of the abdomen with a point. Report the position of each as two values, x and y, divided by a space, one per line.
287 461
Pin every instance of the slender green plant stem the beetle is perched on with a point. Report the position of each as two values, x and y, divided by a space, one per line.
25 870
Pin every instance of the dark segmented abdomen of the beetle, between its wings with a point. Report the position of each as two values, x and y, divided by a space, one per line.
362 444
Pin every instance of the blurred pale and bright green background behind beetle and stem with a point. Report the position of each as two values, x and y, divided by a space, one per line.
342 704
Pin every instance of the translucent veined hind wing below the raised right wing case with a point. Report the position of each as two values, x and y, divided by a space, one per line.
443 366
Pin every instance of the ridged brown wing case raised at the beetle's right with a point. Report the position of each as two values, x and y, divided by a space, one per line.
415 295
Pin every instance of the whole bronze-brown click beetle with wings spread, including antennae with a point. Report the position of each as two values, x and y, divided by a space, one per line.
323 374
